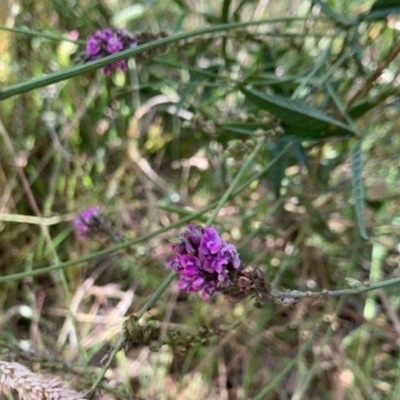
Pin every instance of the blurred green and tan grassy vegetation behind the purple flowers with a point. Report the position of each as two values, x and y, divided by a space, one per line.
307 100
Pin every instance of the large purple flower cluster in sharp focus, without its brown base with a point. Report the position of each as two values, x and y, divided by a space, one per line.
204 261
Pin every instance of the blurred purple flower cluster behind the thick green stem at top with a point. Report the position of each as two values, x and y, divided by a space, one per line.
106 42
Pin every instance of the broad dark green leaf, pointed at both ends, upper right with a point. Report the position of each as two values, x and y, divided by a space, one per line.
297 118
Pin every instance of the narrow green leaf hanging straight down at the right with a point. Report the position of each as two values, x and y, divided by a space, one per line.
358 187
